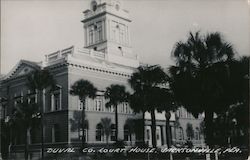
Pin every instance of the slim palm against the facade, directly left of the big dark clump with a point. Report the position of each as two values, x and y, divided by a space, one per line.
116 94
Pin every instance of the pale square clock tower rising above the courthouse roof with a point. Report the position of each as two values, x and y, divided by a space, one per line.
107 29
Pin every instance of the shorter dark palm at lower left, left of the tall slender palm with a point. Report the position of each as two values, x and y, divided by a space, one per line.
27 116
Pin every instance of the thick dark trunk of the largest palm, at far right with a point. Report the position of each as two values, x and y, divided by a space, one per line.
209 127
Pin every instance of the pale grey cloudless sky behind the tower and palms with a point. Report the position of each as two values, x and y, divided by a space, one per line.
31 29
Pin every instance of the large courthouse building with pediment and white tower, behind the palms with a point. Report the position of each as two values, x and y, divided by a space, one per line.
106 59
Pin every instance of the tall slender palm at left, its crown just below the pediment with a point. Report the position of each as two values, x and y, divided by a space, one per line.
40 80
